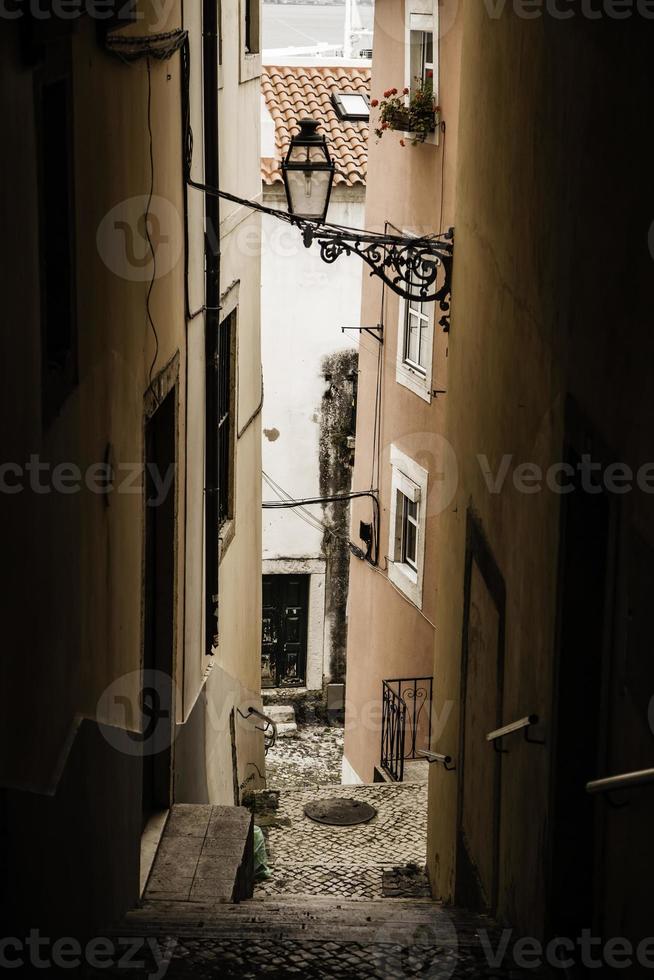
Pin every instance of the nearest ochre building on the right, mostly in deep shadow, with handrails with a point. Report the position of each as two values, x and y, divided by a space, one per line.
542 562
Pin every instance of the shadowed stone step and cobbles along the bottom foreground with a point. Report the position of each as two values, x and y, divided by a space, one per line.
316 938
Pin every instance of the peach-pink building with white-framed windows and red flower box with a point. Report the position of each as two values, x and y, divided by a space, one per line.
402 396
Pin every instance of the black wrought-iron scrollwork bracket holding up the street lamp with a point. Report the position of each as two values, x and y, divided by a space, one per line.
418 269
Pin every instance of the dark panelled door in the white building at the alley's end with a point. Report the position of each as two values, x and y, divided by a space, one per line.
284 630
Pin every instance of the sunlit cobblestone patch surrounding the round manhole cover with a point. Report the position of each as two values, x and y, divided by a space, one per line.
308 858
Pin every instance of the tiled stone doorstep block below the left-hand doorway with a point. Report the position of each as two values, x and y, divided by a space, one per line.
206 854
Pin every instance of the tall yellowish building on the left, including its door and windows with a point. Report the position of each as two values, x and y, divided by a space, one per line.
131 441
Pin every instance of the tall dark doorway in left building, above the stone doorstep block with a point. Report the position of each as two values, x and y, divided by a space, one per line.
159 615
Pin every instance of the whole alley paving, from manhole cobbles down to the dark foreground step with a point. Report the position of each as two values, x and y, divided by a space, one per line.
336 908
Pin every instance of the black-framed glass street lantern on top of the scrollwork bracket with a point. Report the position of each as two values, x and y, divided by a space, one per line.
308 172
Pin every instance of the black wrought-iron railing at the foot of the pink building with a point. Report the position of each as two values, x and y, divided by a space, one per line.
406 722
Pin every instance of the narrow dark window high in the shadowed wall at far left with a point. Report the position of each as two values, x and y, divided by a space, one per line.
57 255
